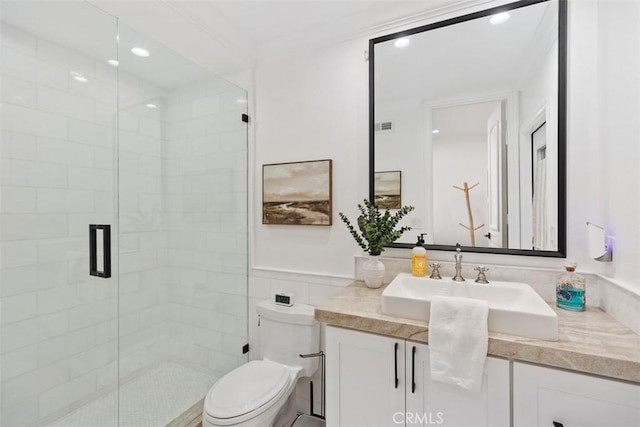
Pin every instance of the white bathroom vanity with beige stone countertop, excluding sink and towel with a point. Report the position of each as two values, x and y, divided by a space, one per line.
378 372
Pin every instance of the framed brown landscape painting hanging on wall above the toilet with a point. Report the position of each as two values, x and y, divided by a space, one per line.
297 193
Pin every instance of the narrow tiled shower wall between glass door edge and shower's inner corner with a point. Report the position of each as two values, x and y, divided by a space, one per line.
142 238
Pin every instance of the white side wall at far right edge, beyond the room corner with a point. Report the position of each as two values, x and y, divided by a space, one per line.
618 101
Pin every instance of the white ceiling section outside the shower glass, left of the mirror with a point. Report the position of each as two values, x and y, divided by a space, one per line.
227 36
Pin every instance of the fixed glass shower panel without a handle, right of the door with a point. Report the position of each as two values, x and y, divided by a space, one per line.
183 230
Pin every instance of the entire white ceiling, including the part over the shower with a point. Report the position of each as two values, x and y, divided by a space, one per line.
220 36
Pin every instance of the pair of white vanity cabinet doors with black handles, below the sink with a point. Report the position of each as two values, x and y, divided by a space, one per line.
374 380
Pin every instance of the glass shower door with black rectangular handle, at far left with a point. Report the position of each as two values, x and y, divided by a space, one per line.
59 341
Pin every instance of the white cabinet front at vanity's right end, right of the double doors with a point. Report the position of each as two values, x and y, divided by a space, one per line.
547 397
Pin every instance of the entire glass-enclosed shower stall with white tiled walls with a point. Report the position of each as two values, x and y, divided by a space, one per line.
123 234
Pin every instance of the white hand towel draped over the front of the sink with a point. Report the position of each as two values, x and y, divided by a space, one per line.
458 340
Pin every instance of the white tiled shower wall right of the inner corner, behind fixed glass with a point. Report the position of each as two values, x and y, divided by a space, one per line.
206 213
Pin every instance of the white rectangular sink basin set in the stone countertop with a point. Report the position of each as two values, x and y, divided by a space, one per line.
514 308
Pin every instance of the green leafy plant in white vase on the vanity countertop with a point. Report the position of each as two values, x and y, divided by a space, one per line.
377 230
